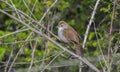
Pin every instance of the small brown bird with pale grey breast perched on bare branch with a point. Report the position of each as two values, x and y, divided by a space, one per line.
67 34
